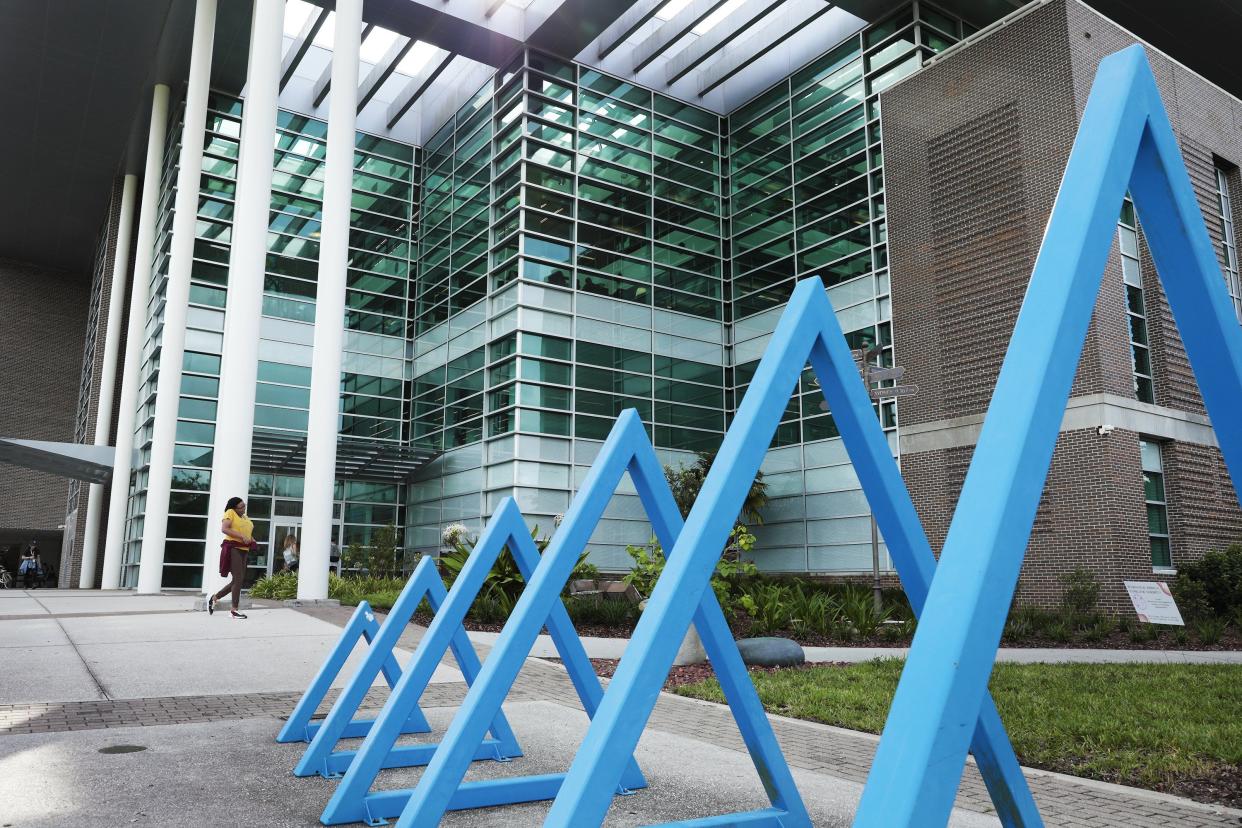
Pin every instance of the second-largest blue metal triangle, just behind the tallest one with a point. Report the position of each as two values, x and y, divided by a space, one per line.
807 332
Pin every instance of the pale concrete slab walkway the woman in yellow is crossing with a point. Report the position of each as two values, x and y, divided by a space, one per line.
120 646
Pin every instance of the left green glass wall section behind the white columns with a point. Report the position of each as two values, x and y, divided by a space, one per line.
374 387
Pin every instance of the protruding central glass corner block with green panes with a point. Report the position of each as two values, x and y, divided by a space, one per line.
587 210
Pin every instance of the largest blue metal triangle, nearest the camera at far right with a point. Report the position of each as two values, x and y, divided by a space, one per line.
1125 142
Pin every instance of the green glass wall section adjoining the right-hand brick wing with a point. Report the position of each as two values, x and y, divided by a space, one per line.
807 198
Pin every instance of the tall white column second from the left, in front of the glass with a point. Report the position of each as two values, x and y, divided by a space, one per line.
140 295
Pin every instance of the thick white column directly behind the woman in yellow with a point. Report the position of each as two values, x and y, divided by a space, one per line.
244 312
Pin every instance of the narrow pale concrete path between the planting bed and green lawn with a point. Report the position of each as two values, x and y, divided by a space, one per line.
615 649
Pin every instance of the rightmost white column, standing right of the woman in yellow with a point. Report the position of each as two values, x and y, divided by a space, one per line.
331 307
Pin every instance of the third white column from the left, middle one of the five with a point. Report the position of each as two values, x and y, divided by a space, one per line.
177 299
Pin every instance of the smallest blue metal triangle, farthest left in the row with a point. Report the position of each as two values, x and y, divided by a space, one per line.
362 625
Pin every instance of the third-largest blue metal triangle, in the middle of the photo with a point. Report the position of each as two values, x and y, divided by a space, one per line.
627 450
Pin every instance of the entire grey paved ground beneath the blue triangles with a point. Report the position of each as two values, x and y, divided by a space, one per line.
209 747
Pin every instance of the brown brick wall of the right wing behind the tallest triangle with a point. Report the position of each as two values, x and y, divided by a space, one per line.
974 151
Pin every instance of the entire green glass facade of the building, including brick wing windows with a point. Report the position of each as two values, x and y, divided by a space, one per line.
566 246
